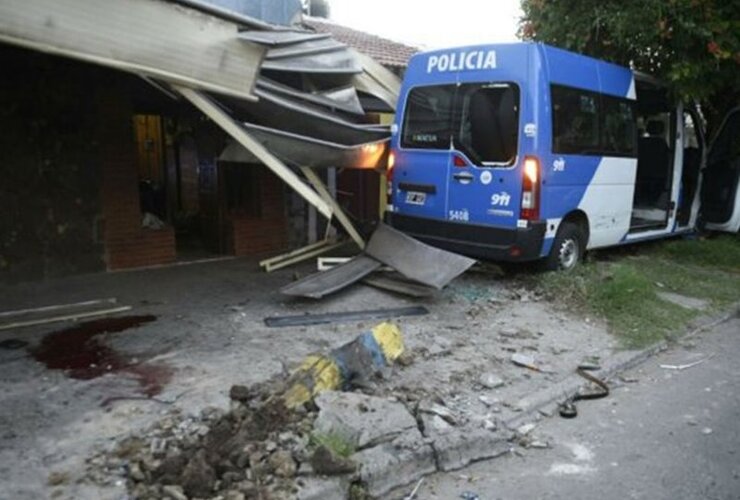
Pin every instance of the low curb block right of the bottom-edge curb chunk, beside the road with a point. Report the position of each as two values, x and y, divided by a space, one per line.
457 449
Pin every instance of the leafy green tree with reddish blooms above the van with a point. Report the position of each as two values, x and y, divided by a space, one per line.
694 44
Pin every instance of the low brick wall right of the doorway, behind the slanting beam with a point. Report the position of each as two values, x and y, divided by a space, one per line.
267 231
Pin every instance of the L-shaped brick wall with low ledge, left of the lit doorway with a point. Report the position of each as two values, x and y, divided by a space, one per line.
127 244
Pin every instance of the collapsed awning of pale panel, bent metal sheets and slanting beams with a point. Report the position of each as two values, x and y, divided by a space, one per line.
309 109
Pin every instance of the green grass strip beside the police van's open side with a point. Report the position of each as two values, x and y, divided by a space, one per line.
625 290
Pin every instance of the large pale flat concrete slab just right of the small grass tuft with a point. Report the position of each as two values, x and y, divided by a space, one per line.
361 420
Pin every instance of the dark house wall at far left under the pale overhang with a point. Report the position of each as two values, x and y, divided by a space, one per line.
50 210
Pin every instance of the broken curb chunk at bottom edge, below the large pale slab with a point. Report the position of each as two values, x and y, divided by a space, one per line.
391 465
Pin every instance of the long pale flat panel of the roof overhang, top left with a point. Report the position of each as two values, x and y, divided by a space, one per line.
155 38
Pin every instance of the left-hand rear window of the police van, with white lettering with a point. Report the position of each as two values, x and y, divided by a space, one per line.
428 118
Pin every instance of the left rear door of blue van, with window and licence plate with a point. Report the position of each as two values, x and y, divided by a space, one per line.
423 159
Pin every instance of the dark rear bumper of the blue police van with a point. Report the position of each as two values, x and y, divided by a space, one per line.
483 242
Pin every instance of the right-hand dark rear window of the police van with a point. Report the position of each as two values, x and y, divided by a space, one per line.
489 125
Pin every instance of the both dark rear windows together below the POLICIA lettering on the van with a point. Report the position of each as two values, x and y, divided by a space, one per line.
481 120
